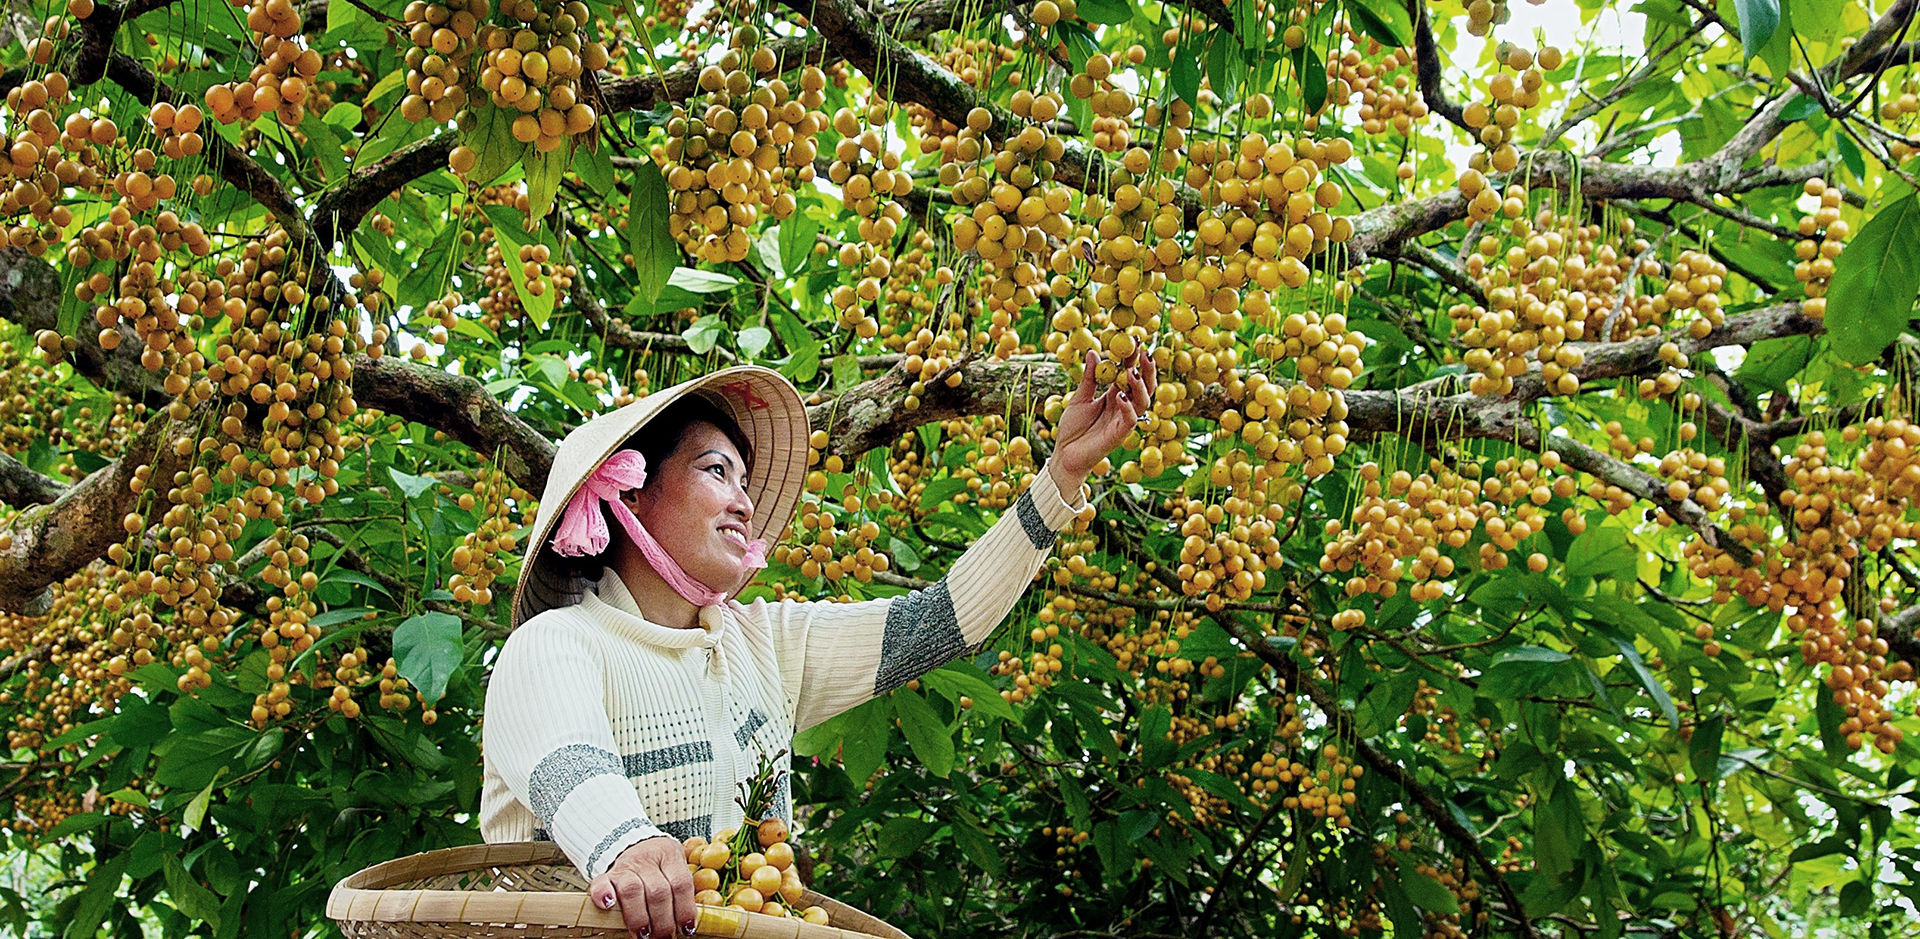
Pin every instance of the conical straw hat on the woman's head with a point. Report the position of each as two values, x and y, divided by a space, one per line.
763 404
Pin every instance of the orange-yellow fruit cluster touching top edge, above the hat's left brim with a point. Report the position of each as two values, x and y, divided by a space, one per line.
535 64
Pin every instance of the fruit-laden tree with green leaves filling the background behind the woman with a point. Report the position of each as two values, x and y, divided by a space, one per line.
1524 541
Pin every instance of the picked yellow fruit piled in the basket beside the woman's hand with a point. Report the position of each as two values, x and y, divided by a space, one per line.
752 871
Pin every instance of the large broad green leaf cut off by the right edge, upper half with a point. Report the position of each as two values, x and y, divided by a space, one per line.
1875 283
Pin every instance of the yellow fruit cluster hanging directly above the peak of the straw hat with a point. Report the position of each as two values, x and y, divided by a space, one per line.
742 153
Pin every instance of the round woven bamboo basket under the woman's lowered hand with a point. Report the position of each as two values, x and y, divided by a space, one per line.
368 898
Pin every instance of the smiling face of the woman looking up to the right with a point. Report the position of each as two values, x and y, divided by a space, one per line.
696 506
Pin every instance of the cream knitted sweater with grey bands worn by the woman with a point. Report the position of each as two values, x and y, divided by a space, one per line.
604 729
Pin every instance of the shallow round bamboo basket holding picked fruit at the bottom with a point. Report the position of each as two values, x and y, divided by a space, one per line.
531 890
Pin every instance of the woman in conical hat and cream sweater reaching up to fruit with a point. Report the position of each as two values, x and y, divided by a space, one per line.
635 694
